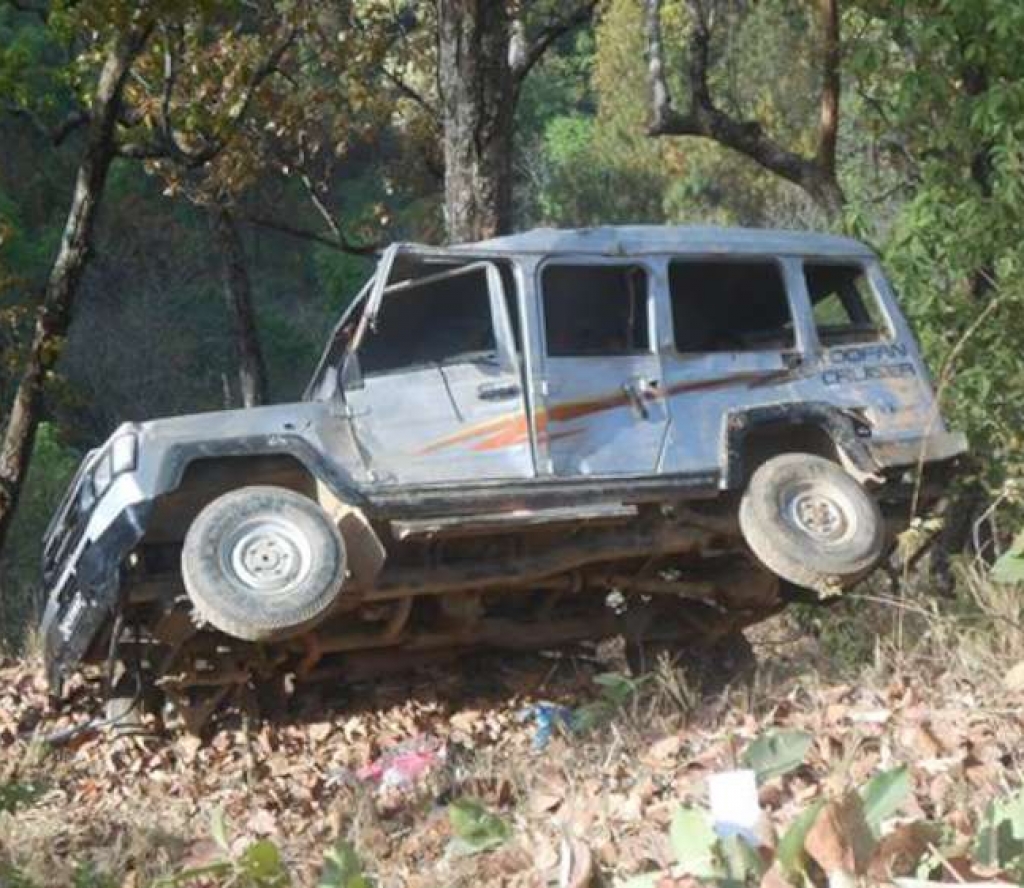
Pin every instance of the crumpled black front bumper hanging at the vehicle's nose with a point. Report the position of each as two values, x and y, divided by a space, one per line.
84 595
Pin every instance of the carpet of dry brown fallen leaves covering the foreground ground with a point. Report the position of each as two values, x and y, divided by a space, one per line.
585 811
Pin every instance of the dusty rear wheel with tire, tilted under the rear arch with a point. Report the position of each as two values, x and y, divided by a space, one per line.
812 523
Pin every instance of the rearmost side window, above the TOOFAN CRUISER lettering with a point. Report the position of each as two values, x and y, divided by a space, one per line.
846 309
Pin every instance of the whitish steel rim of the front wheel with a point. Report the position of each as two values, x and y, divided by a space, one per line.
268 556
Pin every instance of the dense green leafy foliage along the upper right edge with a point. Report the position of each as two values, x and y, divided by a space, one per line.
945 99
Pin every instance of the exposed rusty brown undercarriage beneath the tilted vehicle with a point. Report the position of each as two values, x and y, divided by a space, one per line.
668 576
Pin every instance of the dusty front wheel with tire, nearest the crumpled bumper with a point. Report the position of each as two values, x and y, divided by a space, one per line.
263 563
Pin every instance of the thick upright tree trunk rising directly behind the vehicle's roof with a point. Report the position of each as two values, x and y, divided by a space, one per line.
478 102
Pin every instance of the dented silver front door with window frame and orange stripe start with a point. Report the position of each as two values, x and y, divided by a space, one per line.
436 390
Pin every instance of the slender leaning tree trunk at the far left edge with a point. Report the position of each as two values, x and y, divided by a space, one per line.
59 299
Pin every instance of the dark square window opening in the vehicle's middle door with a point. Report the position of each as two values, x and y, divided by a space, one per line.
595 310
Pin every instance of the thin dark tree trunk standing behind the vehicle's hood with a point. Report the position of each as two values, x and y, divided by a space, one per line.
238 295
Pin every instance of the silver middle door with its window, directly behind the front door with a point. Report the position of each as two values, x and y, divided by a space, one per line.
606 412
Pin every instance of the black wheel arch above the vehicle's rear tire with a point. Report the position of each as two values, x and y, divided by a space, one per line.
751 437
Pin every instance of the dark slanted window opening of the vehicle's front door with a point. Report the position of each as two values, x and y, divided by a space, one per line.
438 322
